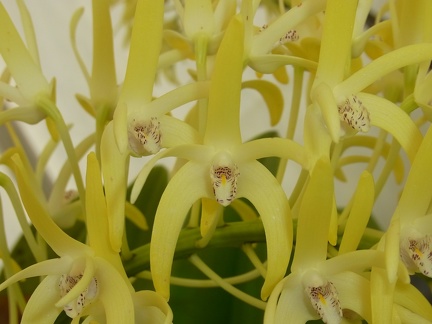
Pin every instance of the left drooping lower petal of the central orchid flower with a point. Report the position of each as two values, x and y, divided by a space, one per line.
187 185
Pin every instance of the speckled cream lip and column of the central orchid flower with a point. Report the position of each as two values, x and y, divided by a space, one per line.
224 175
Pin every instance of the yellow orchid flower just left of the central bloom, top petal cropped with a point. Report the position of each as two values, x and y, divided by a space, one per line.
141 125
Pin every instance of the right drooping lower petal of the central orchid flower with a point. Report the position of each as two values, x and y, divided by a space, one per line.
261 188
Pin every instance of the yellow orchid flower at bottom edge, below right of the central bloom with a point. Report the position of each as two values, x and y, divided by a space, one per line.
318 287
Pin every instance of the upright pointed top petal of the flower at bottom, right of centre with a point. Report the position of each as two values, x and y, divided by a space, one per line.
314 218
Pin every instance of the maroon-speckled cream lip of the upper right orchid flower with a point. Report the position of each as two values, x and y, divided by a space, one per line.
353 113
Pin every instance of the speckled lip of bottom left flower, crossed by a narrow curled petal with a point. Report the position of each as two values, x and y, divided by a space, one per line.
76 306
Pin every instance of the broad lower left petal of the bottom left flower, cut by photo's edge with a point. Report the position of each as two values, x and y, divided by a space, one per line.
40 308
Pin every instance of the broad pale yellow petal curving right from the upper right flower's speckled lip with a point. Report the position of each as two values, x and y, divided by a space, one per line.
386 115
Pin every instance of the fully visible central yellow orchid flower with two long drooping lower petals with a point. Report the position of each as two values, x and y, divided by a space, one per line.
223 169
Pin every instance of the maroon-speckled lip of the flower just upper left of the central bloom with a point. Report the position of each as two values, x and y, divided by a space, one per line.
145 136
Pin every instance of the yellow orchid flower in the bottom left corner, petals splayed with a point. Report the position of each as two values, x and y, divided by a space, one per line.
85 278
